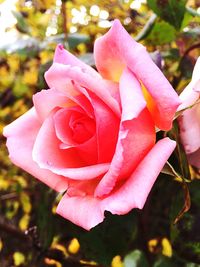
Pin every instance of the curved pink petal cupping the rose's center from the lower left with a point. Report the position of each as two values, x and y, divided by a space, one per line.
48 155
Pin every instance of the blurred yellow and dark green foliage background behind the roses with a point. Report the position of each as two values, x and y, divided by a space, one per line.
31 234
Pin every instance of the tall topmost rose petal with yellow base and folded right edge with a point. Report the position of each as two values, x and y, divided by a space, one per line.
116 50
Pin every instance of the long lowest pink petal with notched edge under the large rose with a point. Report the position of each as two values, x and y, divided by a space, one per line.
87 211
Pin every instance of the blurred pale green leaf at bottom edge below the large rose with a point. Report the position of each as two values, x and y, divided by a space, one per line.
135 259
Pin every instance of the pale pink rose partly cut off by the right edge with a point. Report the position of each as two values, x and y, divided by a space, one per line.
189 121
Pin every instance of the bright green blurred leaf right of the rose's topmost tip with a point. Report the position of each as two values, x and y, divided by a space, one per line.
158 34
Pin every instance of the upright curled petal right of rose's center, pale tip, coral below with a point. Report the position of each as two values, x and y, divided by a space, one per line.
136 134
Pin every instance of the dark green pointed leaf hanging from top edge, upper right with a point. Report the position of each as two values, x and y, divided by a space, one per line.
171 11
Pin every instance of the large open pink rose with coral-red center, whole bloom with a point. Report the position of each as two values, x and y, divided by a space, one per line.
92 134
